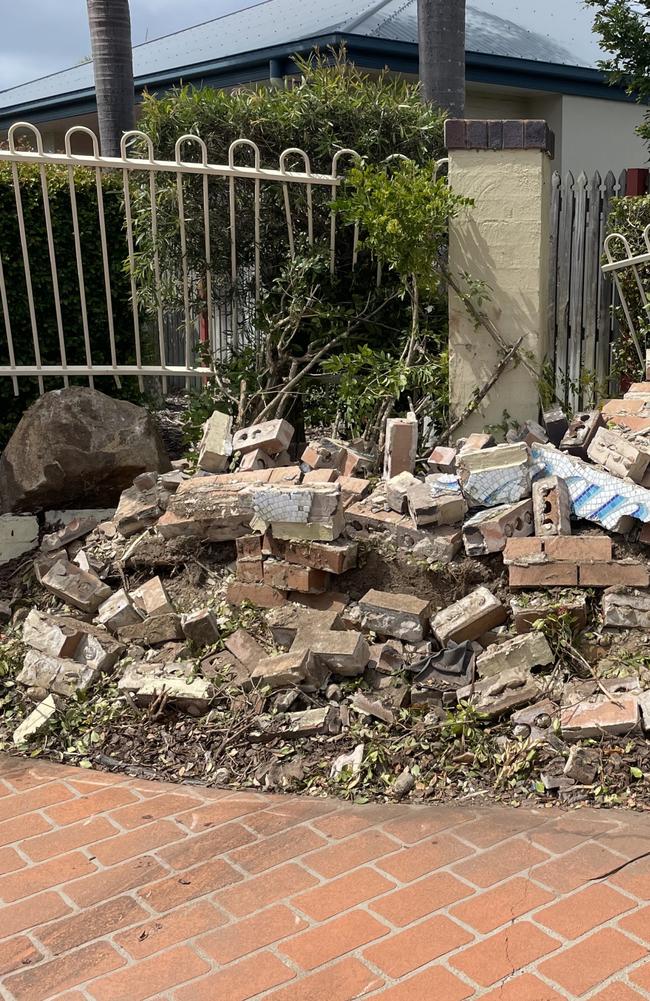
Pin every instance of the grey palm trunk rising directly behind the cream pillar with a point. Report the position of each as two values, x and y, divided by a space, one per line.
441 41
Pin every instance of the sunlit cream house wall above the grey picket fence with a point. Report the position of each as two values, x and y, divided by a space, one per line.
599 136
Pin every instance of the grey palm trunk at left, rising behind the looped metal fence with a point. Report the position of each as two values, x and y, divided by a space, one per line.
111 39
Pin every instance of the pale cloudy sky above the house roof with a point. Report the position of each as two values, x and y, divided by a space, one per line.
43 37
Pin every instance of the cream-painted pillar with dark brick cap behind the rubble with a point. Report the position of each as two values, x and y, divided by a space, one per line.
503 241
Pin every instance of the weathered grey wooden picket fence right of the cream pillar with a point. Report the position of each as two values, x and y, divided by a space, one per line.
582 327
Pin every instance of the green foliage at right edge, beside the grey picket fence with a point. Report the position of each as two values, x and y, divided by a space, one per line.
630 217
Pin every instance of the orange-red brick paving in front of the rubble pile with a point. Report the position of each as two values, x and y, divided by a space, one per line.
116 889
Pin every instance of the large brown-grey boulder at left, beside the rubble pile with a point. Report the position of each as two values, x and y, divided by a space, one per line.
78 447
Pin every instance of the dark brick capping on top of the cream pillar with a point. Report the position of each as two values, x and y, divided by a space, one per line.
473 134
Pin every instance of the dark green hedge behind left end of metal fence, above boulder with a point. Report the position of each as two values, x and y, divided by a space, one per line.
61 208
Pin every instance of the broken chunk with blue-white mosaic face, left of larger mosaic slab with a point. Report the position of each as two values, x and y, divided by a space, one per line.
493 477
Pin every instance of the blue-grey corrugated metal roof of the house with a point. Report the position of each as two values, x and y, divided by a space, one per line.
285 23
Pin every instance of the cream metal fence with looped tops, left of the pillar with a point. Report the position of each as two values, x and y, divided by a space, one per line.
145 180
